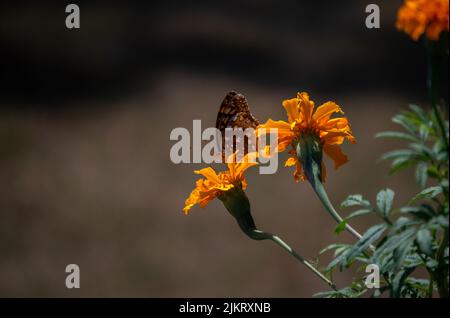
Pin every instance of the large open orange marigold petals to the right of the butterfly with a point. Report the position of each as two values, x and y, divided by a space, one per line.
303 122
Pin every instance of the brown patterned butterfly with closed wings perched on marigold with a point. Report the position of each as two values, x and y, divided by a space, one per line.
234 112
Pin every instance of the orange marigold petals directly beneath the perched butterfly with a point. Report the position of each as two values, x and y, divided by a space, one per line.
216 184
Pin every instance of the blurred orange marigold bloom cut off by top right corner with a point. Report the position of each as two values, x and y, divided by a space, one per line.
417 17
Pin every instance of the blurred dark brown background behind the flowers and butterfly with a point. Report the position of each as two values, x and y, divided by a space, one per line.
85 120
